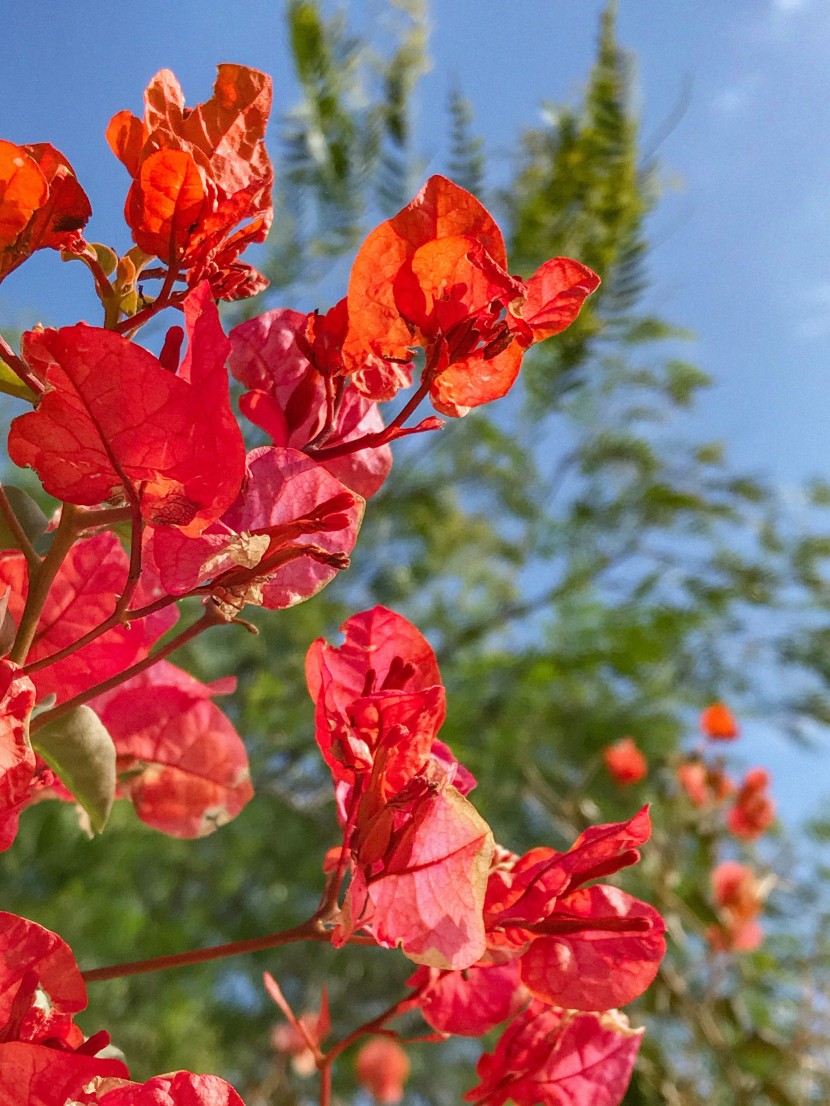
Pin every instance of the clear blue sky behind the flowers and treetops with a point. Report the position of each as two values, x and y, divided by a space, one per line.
742 242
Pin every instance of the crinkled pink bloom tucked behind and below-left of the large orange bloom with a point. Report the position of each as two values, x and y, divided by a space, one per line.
287 395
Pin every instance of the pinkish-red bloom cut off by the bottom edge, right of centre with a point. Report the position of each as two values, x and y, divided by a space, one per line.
559 1058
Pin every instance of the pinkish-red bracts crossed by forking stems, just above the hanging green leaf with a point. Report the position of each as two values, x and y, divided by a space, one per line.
84 596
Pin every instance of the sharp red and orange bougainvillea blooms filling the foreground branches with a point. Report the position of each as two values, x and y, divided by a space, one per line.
158 500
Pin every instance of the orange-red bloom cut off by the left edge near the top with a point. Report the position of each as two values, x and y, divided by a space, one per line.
41 204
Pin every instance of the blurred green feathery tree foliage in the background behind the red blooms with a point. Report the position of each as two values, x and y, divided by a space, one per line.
584 573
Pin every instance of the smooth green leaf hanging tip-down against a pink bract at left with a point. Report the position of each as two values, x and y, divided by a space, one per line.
80 750
